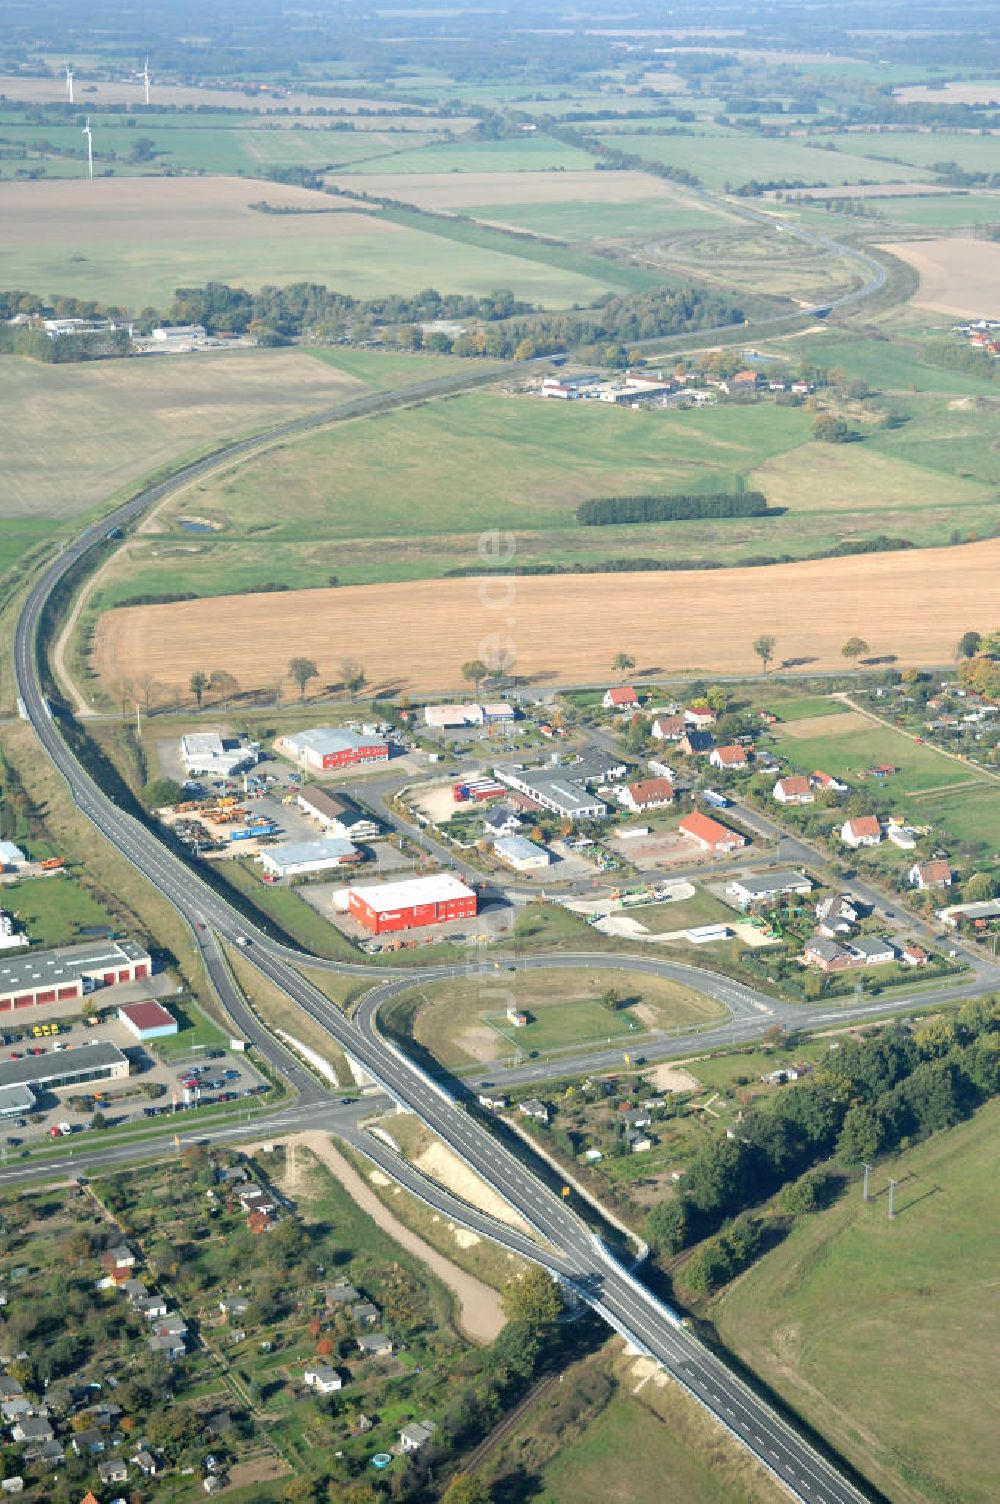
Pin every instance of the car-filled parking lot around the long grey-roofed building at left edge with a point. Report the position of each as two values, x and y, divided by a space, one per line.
154 1087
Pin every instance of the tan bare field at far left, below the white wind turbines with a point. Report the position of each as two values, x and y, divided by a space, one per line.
135 211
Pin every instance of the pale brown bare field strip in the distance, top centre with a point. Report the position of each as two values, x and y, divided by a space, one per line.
459 190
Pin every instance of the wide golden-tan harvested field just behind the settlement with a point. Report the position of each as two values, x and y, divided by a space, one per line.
566 629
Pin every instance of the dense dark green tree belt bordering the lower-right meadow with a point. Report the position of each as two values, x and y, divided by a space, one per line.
871 1097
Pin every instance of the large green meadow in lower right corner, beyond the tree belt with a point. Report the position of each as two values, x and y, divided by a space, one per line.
886 1335
